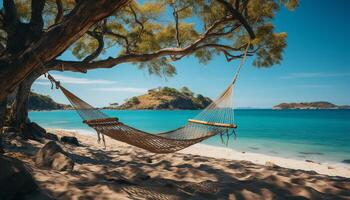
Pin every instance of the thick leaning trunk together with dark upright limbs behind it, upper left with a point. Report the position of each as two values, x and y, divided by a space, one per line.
26 52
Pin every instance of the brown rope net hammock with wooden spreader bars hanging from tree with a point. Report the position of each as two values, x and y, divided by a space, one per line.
216 119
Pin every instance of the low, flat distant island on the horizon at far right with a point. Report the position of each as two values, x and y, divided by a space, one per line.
310 105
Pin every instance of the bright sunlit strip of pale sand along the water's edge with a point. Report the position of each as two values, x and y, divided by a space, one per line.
205 150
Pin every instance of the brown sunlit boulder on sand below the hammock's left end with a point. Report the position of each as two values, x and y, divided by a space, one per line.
53 156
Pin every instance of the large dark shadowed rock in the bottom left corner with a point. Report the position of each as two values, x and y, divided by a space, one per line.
15 181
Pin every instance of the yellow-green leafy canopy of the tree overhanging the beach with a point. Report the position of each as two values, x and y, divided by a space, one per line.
188 27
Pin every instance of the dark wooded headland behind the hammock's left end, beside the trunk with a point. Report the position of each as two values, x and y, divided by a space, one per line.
42 102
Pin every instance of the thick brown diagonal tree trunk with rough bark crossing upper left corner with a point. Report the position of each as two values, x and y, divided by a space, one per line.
20 64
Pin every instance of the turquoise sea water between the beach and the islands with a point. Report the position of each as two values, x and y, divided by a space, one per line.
320 135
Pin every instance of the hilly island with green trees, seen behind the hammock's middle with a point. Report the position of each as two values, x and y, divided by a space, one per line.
164 98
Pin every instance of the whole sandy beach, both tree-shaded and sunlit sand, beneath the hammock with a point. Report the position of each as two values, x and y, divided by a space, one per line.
199 172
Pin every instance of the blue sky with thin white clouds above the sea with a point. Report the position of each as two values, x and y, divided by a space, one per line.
315 67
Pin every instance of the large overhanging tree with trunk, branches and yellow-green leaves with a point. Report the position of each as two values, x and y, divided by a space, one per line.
33 35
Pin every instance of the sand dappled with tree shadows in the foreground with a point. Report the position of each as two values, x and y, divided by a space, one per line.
127 173
